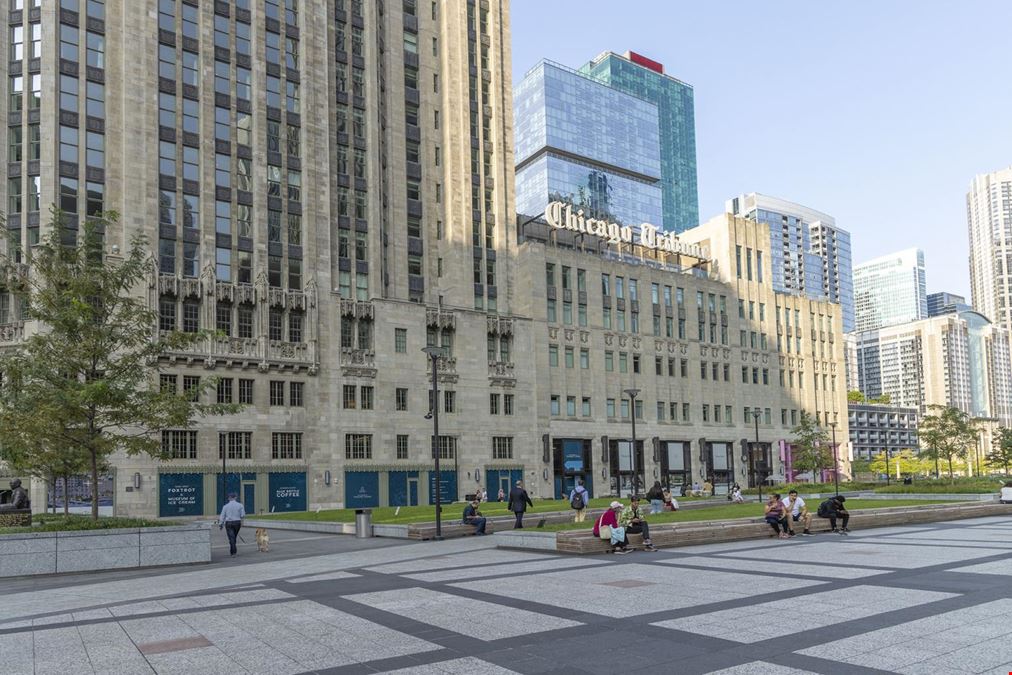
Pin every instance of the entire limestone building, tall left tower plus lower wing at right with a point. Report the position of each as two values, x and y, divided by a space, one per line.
329 186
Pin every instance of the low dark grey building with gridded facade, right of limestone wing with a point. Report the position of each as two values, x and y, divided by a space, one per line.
882 430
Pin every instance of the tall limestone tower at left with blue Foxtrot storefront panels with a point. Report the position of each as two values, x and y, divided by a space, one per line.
327 183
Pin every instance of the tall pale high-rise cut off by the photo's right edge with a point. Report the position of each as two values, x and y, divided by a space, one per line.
989 212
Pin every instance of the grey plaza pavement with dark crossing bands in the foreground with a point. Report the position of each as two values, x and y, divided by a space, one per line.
919 600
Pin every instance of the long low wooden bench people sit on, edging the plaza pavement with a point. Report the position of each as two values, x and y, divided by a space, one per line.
584 543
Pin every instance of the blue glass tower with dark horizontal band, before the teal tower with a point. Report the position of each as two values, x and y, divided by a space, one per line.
586 144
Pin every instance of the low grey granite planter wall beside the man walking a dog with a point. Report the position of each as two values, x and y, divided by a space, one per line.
91 551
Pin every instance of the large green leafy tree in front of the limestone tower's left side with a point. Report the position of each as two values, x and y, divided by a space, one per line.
86 385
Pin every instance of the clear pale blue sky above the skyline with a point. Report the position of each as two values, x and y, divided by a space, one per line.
879 114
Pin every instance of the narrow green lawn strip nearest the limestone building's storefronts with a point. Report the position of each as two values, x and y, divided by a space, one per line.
410 515
